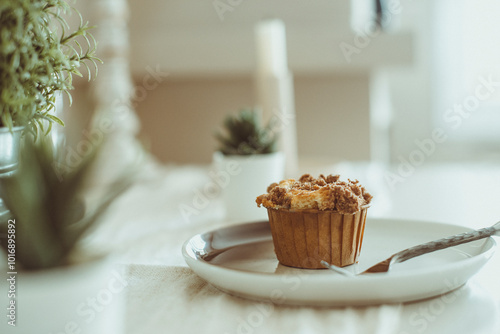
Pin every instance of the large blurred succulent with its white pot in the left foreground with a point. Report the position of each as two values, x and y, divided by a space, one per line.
51 277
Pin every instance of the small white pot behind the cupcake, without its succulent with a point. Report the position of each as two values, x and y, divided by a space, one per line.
247 177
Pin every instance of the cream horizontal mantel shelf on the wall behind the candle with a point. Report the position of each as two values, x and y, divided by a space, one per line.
217 51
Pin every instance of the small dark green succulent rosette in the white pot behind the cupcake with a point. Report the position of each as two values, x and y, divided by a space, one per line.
245 135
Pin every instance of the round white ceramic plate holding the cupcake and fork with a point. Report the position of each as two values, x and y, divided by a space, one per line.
240 260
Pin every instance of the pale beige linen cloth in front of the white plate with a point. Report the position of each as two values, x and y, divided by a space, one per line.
171 299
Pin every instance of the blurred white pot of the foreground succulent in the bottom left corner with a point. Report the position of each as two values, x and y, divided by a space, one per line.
83 298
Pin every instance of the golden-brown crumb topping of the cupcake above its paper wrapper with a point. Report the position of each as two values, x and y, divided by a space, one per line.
322 193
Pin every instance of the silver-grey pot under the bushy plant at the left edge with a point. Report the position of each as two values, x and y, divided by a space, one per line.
10 141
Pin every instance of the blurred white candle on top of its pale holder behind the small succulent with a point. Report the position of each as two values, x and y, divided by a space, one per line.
271 47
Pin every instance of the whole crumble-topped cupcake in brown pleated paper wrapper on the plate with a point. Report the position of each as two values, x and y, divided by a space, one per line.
314 219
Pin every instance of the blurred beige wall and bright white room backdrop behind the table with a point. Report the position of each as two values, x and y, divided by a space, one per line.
360 94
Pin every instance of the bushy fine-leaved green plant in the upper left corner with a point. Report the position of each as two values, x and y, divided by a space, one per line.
38 57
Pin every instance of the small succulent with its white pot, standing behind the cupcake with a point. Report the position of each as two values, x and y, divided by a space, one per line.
248 159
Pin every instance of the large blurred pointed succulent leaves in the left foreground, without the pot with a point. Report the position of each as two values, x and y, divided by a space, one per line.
49 212
